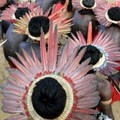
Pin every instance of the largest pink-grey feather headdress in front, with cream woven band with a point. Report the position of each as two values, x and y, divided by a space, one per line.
79 87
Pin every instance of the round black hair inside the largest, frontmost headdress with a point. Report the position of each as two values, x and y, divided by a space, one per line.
49 98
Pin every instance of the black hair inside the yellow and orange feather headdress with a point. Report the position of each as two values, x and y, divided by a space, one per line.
35 25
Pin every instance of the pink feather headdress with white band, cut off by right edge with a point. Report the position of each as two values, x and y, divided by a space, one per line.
102 13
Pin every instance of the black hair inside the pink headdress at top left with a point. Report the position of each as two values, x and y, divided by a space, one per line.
21 11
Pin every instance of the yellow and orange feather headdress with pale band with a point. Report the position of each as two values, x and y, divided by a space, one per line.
58 18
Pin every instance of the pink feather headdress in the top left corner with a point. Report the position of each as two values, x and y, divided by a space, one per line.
9 13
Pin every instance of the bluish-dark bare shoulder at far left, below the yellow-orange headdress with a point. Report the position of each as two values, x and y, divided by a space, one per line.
13 42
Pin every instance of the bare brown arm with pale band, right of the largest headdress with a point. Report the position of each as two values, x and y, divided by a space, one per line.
104 87
